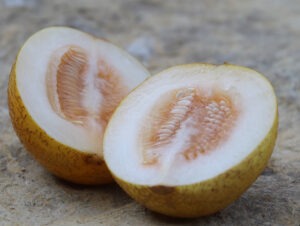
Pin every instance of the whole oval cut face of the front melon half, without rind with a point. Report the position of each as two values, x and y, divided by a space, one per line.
189 124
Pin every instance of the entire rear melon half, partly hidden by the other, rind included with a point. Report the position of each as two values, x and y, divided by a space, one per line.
63 88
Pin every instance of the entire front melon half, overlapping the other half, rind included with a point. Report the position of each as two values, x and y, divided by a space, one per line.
194 137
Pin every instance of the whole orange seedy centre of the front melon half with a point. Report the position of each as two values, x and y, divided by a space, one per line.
206 121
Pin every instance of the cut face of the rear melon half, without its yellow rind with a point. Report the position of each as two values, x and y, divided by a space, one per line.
71 83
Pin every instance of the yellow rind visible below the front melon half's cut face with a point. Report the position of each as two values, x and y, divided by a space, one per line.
207 197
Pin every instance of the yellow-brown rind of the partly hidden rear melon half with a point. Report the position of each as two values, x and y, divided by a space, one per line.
65 162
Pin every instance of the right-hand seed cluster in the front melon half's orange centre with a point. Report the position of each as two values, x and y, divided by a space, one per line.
214 124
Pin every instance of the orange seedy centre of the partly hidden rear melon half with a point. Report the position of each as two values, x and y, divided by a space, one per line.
82 90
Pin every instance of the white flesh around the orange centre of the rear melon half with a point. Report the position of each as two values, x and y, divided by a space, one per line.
32 75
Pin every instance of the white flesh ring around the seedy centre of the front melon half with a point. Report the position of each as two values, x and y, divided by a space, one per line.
245 88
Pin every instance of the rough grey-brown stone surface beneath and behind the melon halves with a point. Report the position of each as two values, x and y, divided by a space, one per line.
261 34
